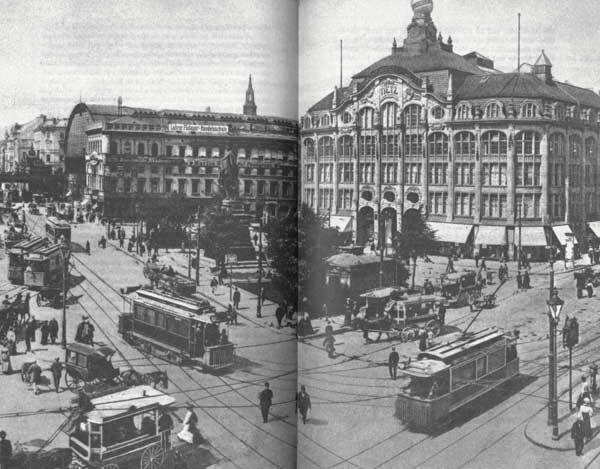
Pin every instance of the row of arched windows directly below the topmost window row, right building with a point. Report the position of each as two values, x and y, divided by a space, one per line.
493 144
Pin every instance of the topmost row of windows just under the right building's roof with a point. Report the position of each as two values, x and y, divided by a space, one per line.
412 115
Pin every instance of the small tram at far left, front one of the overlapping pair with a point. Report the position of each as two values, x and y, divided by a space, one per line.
45 267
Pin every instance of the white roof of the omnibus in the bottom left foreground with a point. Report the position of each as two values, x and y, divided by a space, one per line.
128 401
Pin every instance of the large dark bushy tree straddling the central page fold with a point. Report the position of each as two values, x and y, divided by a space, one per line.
298 245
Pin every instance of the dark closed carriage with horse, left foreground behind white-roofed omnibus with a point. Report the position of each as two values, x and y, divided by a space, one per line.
86 366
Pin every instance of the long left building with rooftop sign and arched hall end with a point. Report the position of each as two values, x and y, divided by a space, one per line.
136 159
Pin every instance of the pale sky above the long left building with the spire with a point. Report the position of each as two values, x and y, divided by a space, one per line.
175 54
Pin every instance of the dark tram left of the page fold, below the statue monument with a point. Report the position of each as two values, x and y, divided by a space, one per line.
180 330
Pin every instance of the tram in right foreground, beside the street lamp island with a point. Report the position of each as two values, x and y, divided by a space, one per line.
447 377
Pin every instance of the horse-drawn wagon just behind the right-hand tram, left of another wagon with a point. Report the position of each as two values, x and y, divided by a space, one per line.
390 311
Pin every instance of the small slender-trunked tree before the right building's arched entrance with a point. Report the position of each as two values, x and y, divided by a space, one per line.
415 240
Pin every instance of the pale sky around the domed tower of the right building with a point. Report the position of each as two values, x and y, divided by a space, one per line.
567 30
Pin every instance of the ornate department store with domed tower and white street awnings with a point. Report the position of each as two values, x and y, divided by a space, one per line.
494 160
